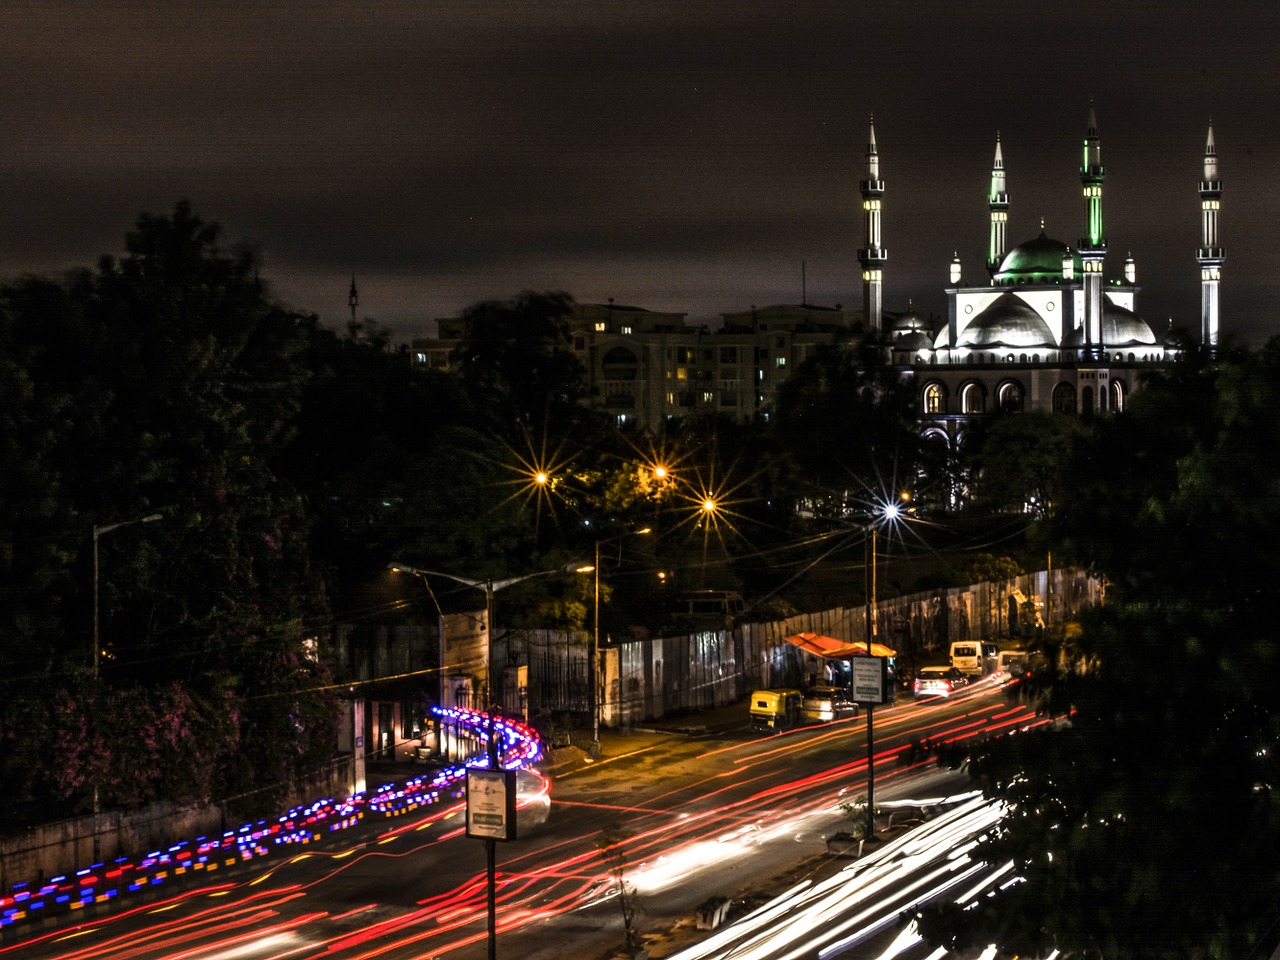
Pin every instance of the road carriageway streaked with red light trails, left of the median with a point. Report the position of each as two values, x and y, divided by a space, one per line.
711 810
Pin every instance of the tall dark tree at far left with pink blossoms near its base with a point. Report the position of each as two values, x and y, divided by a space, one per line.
166 382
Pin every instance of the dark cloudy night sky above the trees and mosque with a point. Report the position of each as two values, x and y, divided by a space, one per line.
678 156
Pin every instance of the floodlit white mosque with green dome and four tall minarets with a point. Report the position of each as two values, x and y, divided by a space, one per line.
1046 332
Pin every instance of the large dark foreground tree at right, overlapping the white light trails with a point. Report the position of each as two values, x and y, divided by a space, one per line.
1144 828
